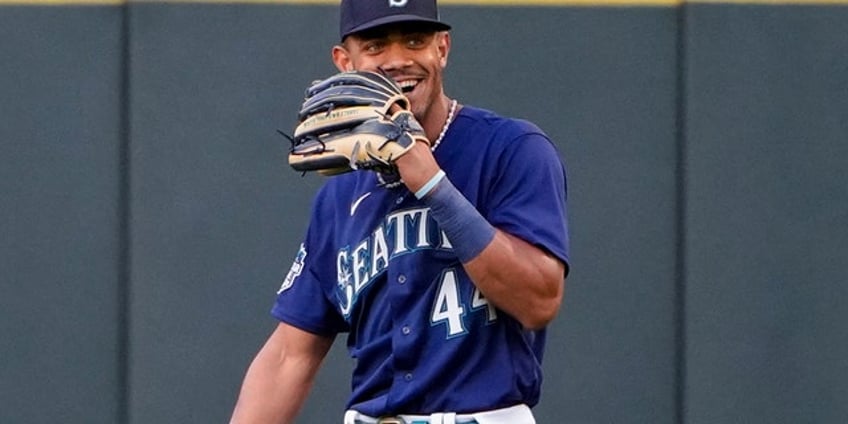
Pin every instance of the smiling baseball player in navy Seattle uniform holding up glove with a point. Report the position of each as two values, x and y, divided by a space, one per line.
442 253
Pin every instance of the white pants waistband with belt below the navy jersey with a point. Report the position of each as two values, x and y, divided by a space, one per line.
519 414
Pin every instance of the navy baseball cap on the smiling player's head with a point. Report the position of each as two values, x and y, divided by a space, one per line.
359 15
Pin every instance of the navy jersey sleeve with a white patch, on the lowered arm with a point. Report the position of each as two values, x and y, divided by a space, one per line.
304 299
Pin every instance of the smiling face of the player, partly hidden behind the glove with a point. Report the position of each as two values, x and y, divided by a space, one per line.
413 55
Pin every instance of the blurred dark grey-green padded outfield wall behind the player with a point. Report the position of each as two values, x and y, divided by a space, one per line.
149 215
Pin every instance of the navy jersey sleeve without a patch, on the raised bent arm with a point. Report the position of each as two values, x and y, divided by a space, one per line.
528 194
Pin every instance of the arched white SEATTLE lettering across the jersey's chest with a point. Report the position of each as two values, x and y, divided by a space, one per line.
401 232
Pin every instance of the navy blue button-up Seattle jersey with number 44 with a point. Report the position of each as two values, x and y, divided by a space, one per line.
376 265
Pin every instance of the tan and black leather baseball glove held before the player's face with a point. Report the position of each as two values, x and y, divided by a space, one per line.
353 120
